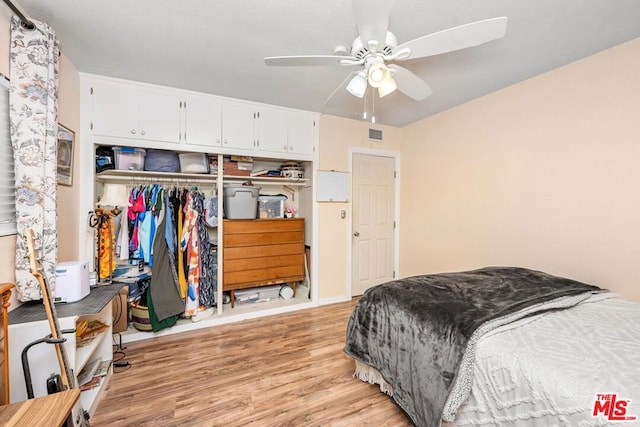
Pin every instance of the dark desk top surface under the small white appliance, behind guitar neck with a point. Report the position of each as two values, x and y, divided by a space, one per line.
93 303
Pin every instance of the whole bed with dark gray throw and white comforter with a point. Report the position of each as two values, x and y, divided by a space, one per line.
499 346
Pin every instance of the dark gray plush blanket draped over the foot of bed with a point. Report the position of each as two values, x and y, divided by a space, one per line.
415 331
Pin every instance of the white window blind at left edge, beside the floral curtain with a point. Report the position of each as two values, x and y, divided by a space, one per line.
7 186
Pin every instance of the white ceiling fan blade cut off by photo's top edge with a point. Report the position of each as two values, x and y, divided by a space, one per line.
372 20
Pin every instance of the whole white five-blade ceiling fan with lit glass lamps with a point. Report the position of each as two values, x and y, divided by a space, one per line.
375 51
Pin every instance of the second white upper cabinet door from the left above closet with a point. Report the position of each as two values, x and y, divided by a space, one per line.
159 114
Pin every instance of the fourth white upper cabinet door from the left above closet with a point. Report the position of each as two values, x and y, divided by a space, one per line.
238 126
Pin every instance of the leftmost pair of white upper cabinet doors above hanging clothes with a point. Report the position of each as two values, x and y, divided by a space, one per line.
124 111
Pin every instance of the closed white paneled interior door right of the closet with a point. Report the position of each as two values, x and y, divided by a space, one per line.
373 192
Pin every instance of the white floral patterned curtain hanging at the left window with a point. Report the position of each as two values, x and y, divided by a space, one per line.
33 114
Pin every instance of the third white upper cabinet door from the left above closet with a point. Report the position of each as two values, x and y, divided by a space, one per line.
202 121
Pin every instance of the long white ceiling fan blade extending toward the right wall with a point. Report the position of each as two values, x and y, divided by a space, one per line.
456 38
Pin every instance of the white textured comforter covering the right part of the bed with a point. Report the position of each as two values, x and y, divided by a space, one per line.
547 370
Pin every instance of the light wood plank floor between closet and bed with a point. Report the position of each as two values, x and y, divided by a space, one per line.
284 370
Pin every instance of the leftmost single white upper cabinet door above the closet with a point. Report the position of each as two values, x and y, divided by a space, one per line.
114 110
